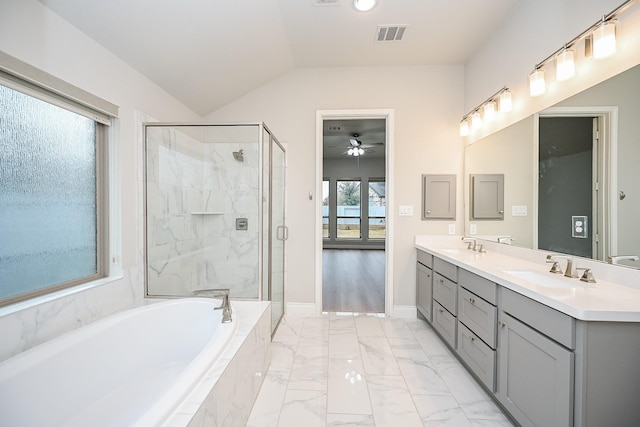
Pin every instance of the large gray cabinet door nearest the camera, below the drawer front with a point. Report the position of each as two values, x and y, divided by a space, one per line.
535 376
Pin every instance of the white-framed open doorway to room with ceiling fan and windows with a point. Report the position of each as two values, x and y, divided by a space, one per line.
353 238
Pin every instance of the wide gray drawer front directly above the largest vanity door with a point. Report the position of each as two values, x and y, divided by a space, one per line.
552 323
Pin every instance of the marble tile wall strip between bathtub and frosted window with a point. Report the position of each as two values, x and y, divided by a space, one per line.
28 324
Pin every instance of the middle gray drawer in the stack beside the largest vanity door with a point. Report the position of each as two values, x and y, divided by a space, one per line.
478 315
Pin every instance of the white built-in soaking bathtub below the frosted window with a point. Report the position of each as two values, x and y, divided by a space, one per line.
134 368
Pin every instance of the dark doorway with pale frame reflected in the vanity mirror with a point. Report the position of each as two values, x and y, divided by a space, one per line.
575 211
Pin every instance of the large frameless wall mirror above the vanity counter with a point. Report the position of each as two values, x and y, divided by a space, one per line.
535 157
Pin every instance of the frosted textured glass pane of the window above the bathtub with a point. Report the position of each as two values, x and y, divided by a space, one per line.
49 204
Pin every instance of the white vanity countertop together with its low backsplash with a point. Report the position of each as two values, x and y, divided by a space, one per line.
615 296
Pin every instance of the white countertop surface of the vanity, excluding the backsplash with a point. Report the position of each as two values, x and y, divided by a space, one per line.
602 301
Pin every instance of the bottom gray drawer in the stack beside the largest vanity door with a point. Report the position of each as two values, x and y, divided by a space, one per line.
478 356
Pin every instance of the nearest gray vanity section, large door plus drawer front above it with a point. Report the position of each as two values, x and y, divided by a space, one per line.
536 364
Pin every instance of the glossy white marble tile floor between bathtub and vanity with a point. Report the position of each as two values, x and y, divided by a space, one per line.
350 369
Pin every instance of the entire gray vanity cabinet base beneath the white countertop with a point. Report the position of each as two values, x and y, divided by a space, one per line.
542 366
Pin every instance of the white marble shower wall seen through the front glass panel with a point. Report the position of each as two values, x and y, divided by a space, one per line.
195 192
